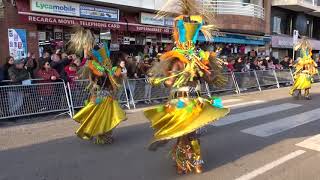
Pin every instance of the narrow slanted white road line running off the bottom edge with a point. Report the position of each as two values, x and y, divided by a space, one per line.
271 165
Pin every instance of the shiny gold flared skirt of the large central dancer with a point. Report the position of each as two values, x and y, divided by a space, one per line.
170 121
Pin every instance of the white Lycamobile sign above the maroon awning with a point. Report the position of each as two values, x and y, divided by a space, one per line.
54 7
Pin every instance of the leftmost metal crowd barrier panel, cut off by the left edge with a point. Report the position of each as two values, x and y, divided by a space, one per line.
25 100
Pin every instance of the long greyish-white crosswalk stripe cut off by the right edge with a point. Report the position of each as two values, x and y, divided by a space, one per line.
275 127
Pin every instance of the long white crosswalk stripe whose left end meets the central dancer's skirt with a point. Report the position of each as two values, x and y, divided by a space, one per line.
233 118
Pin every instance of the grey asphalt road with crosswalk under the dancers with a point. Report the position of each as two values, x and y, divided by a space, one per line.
268 135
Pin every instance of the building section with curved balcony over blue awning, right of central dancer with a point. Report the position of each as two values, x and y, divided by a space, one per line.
243 25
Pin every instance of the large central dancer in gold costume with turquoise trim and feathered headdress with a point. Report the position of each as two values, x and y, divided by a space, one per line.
181 69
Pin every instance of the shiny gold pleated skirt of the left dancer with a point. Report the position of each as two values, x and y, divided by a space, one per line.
98 119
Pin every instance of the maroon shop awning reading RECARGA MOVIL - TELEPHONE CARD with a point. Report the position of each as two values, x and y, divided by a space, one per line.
38 18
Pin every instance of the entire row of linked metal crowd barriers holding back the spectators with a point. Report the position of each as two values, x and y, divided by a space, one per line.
38 98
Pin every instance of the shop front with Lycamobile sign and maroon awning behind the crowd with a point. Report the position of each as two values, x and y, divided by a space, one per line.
55 25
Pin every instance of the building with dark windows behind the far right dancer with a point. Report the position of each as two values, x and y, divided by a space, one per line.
290 15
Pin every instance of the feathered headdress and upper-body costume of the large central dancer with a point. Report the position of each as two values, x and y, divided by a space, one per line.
193 19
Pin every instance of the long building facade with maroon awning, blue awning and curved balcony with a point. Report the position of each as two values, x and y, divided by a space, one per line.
129 25
